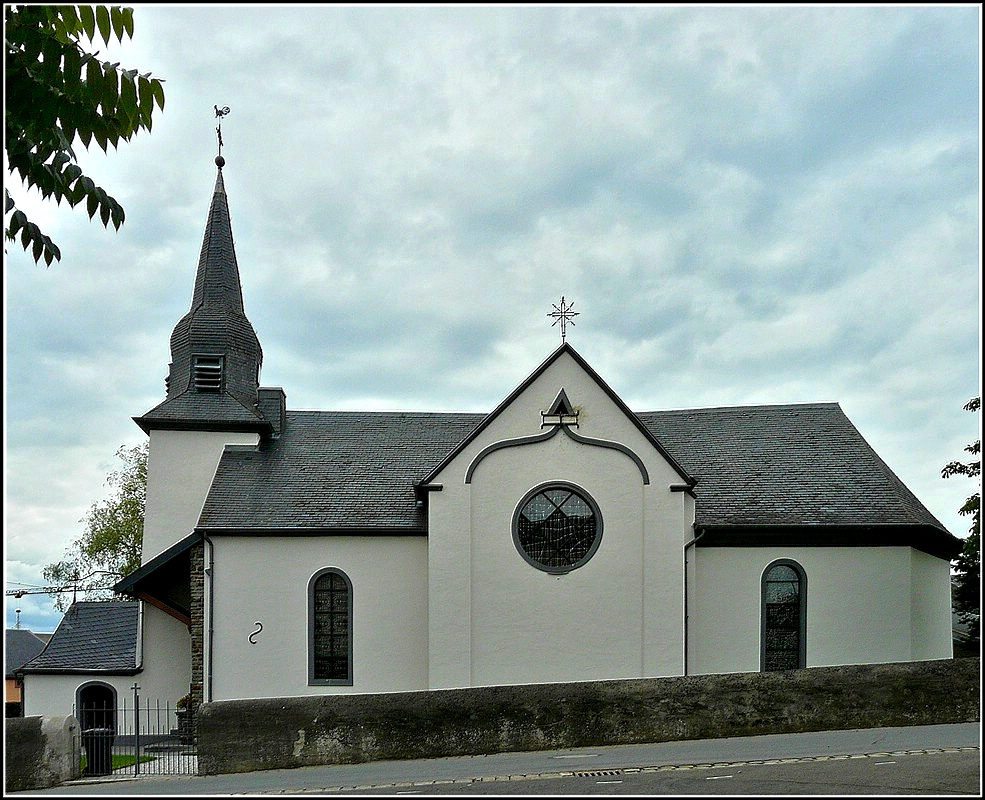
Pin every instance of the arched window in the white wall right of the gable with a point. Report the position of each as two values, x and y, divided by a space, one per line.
783 642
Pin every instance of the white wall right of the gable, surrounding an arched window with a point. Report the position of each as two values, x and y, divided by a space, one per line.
865 605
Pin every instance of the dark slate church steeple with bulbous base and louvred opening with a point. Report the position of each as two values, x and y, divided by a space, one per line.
214 375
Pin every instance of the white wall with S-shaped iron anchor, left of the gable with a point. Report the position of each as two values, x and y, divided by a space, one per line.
256 581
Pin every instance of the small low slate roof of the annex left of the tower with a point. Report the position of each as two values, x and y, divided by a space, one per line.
92 637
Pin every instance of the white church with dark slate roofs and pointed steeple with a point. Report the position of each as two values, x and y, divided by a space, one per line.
561 536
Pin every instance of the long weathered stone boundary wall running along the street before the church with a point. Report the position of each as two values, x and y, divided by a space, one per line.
279 733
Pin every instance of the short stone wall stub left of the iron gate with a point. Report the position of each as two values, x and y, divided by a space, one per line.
40 752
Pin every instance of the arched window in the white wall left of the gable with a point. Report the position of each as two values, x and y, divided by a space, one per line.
330 628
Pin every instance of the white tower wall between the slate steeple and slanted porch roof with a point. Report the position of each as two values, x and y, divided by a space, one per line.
180 468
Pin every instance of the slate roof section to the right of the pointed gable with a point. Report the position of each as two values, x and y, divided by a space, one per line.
801 464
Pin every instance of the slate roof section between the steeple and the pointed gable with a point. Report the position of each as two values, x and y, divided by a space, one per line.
334 469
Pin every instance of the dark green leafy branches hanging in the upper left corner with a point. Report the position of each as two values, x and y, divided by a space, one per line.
56 92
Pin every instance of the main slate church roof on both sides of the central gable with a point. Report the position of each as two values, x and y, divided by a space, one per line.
783 465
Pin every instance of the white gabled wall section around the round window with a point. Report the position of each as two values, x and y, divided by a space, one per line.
496 619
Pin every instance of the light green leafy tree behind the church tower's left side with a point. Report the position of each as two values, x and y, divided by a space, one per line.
114 531
